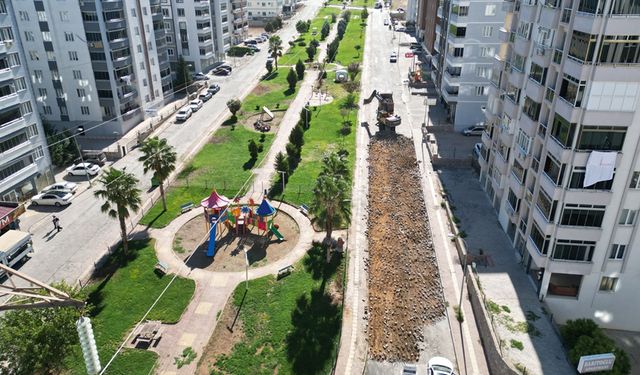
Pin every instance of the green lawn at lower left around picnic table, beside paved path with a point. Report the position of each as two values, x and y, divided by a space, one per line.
119 300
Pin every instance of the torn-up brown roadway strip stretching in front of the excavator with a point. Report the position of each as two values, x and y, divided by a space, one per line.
404 284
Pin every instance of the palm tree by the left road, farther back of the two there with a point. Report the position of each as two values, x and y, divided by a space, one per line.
158 156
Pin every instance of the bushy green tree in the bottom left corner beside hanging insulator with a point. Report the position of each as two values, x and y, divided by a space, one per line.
37 341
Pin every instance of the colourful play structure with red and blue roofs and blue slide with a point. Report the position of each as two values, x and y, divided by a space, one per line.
236 217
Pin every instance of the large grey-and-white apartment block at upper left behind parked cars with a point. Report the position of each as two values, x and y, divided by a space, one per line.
95 63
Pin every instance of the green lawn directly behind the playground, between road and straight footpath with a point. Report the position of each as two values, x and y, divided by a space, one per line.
223 163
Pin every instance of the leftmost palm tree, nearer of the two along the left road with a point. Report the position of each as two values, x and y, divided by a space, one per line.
121 197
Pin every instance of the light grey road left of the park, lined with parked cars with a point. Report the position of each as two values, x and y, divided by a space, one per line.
87 232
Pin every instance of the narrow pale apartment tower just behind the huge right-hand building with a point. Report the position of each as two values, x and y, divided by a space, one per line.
466 41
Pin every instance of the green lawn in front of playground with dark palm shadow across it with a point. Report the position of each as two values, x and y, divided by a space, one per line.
291 326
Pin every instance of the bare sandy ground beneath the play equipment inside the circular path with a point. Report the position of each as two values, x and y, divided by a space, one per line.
229 255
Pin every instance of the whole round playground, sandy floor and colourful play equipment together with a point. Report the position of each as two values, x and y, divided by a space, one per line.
265 233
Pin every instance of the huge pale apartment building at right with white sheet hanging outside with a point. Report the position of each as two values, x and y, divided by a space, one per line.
561 153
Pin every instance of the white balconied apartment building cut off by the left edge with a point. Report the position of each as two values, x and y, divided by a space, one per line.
24 158
